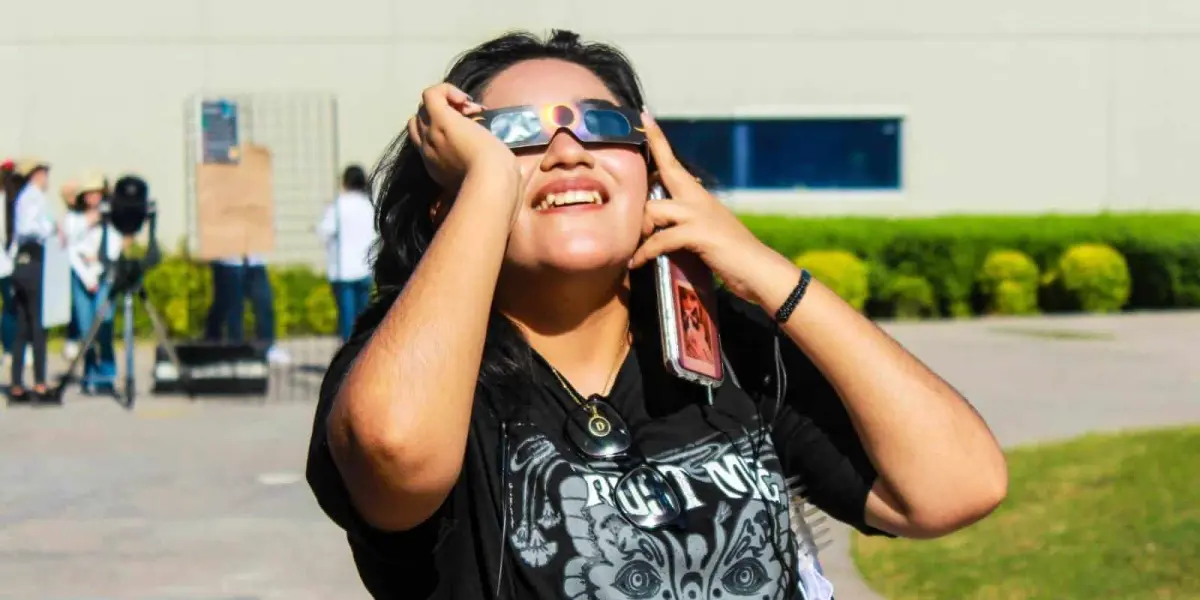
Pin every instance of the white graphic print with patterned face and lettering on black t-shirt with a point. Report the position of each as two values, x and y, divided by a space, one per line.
737 545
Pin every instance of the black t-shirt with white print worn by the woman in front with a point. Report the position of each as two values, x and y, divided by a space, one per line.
563 536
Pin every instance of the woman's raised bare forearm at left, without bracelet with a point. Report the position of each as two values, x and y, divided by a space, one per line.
399 425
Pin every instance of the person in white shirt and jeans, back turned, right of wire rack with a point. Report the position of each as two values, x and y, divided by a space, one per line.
349 231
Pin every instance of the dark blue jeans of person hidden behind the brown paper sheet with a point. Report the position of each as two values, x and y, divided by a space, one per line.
231 287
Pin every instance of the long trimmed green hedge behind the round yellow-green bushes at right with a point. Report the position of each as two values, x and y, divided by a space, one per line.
1162 251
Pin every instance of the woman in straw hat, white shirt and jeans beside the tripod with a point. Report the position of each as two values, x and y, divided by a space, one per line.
87 235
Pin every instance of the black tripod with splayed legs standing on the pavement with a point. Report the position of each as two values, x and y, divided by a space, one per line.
127 279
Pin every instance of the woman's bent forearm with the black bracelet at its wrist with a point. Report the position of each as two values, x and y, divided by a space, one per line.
939 463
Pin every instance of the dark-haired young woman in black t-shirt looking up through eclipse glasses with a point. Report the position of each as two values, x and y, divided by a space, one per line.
502 424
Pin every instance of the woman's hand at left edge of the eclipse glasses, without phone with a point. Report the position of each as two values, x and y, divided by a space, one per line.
452 145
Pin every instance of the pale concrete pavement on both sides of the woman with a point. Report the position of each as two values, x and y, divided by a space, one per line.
206 501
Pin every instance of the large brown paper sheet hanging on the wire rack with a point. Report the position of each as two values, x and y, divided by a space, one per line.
236 207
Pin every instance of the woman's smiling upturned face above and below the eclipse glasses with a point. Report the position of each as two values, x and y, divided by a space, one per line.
583 205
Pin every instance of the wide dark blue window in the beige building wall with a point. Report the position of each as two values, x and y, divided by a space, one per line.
782 154
